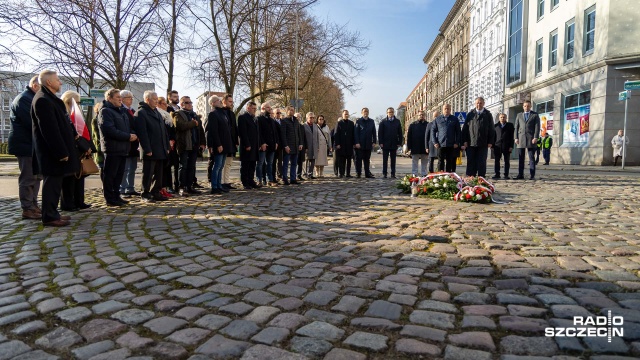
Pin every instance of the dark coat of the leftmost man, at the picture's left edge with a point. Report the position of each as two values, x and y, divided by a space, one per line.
21 133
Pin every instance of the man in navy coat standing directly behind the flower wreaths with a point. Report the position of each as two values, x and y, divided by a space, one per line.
446 136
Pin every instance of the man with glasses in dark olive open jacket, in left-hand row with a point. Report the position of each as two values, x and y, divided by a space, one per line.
189 137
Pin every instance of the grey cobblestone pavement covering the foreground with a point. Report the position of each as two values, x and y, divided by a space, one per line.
329 269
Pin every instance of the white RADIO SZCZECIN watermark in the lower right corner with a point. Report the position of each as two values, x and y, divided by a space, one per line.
590 326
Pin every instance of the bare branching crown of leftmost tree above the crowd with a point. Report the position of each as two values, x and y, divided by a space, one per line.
112 40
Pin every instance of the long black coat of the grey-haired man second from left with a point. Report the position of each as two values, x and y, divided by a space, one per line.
53 136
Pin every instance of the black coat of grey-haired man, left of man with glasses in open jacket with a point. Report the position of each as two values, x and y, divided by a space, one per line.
151 130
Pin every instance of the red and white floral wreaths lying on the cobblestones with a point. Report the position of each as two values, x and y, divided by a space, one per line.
449 186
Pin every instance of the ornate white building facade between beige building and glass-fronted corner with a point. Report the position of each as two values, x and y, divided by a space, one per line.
487 48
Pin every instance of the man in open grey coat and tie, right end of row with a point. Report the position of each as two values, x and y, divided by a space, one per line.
527 130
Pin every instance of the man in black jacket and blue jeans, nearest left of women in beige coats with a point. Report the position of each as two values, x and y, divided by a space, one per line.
292 144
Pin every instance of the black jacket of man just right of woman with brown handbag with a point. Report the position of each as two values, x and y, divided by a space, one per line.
115 130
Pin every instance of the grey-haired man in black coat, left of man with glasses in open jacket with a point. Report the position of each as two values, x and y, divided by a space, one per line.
154 142
